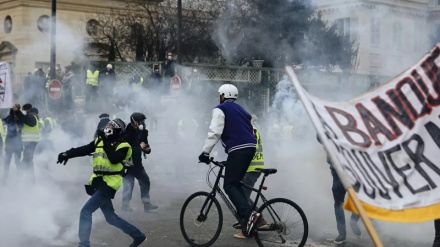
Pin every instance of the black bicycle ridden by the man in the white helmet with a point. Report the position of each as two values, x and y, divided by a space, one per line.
201 217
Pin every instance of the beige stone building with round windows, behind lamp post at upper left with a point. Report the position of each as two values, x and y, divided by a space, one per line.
25 31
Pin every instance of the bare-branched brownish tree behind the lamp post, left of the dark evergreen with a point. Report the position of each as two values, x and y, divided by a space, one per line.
150 29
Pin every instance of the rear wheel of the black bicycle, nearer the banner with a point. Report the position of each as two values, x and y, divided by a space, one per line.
287 224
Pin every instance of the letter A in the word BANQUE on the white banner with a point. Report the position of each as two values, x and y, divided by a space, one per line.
374 126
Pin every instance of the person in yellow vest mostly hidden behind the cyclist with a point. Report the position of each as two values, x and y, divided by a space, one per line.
251 176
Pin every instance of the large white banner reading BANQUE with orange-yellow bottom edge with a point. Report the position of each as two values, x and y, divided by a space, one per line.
388 142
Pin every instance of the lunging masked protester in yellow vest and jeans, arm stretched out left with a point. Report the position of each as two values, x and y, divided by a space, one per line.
111 157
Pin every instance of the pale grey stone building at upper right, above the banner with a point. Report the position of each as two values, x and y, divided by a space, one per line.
391 35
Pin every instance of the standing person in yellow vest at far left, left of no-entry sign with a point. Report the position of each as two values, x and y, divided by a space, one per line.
30 136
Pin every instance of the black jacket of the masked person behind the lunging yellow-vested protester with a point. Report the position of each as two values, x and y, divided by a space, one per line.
135 137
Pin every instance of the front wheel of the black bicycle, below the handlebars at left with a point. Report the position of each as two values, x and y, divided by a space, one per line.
201 219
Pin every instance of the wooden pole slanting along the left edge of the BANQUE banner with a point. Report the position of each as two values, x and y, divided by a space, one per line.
335 162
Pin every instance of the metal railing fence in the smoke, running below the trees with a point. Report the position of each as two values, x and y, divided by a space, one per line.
256 83
